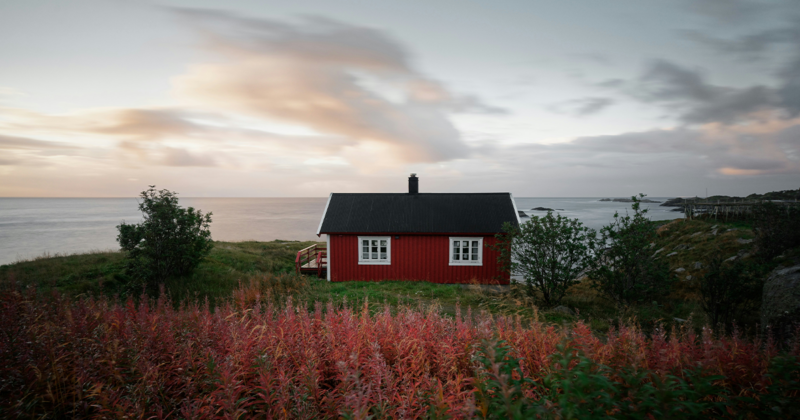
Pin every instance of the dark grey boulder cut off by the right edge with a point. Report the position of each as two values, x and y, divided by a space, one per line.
780 304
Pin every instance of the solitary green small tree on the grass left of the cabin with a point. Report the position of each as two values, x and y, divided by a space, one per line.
170 242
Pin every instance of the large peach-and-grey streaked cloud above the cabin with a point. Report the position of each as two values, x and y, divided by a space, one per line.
313 73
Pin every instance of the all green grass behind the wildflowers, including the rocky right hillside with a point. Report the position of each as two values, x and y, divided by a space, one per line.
254 265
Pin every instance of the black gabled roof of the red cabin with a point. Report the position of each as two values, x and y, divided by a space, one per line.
418 213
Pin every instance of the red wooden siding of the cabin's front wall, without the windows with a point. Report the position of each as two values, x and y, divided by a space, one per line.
414 257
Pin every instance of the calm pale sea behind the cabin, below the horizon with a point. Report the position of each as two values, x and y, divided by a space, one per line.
31 227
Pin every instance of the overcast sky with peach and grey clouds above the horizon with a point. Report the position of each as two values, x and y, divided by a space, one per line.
271 98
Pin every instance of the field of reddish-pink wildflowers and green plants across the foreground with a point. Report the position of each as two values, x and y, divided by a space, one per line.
85 357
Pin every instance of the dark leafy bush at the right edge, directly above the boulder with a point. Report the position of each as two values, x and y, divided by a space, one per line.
777 228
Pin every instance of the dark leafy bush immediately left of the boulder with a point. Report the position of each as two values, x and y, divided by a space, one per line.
728 289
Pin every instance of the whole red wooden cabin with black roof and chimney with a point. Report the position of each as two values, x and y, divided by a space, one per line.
441 238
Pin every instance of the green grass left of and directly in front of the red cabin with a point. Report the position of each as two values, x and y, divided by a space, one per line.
232 265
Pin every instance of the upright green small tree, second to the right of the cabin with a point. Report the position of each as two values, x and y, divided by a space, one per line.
626 269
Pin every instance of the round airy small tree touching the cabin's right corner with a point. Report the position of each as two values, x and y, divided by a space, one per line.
549 252
